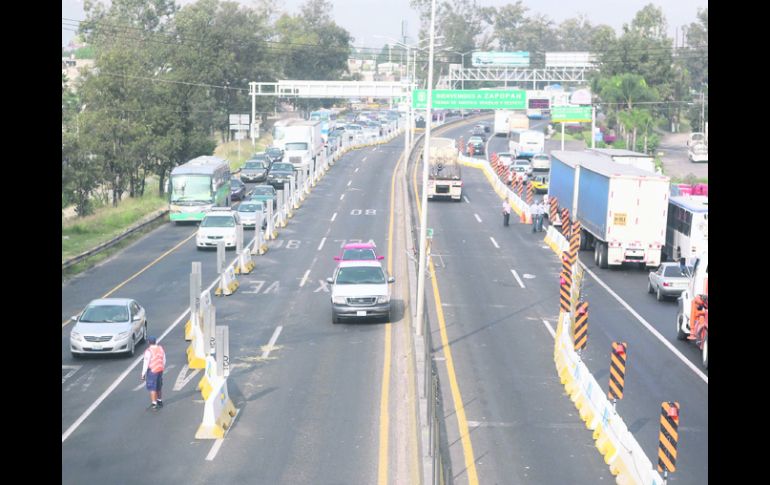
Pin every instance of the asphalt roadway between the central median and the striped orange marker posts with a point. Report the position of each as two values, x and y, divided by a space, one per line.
498 302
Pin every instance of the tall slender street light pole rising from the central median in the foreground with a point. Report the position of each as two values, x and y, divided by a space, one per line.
425 163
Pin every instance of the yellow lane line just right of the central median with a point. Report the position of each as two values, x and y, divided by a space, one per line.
462 422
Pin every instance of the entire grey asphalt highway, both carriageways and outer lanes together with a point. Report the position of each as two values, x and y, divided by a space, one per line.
333 403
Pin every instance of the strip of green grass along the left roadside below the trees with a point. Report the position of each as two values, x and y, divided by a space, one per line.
85 233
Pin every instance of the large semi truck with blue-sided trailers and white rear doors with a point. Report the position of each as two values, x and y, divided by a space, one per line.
622 209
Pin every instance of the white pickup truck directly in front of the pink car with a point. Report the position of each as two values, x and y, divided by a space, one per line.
360 290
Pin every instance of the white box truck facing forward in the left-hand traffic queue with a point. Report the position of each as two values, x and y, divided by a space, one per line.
301 141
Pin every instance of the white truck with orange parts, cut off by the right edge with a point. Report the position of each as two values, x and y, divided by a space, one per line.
692 319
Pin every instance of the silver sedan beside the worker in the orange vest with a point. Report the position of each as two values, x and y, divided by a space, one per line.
108 326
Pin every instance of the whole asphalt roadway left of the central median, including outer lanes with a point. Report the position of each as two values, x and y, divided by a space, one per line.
310 407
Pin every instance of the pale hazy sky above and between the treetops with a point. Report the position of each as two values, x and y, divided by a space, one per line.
371 21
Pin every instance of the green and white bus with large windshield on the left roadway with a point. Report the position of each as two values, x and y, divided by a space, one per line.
197 186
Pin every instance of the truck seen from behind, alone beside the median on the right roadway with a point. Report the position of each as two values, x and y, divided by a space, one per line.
444 173
